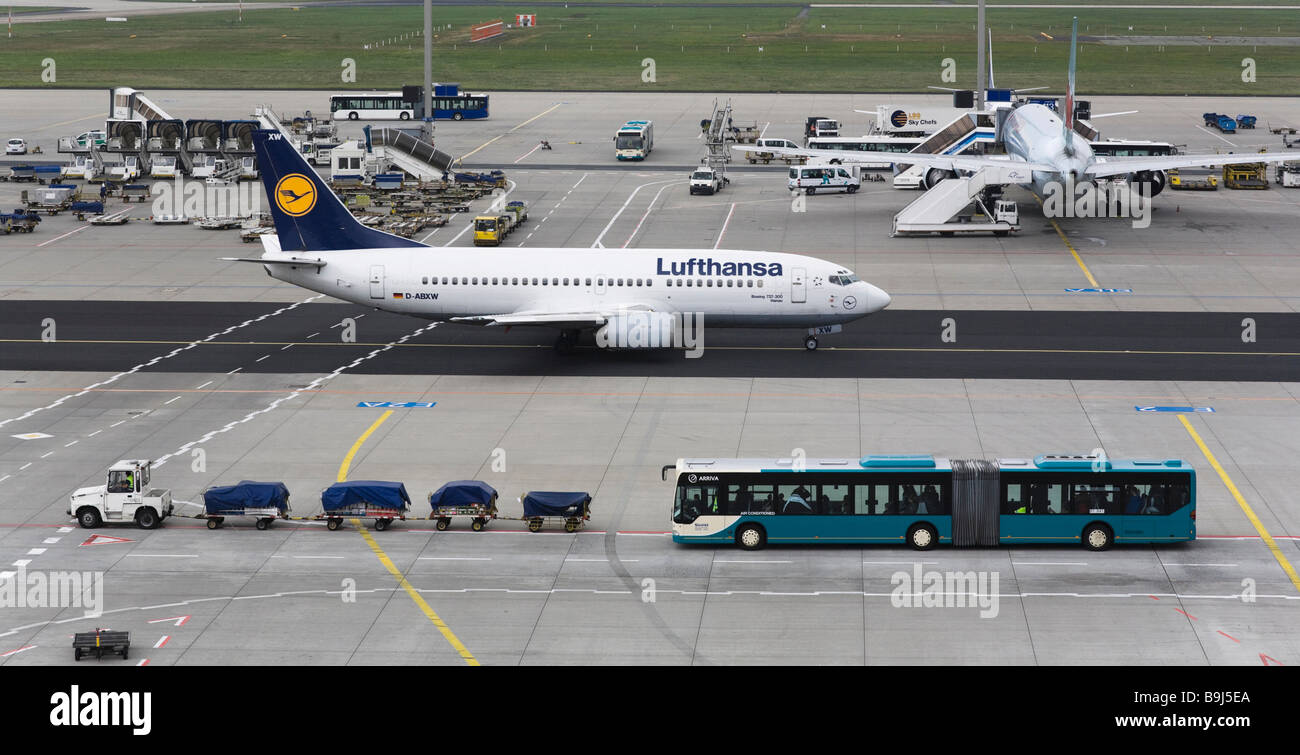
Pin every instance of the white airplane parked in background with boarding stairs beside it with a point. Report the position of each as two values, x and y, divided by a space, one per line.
1047 150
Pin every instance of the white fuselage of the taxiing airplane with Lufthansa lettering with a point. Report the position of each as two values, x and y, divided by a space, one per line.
731 289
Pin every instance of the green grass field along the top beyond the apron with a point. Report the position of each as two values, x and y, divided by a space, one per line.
694 49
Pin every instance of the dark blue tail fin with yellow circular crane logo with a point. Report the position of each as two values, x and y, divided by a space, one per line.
309 218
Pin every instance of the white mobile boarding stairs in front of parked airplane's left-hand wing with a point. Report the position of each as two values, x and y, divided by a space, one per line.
941 209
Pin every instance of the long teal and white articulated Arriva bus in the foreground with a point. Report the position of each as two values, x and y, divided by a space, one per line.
924 501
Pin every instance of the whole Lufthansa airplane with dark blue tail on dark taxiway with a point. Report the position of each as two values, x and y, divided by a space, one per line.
322 248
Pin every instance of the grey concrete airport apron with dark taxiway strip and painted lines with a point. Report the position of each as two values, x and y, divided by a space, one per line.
219 374
